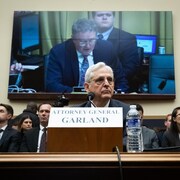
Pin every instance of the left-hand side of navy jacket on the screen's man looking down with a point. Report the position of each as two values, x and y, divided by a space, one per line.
59 77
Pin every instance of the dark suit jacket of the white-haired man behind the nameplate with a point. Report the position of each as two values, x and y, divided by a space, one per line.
113 103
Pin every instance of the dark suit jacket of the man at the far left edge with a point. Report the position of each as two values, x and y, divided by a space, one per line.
6 139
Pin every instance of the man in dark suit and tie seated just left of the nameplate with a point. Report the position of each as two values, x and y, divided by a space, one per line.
32 138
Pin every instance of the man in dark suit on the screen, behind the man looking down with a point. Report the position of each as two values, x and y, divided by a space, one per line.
124 43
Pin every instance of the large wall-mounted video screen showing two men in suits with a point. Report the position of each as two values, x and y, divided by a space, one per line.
43 44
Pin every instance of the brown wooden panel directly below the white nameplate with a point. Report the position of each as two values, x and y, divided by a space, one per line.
84 139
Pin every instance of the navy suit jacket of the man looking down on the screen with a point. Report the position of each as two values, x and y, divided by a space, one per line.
63 67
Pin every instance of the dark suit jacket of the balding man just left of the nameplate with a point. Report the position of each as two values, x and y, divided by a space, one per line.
30 140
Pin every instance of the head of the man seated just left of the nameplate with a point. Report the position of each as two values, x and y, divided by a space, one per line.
43 113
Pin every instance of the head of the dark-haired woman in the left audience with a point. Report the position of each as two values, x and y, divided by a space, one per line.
25 123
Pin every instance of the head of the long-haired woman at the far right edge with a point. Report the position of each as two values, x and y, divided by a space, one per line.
175 120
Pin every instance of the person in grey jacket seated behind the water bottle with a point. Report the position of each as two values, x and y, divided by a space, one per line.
150 139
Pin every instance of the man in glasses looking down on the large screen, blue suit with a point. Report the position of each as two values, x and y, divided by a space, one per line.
69 60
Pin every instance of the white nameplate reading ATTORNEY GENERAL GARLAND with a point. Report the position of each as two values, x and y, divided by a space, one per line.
85 117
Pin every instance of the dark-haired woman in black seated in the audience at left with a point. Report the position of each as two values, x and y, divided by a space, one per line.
25 123
